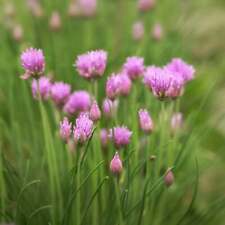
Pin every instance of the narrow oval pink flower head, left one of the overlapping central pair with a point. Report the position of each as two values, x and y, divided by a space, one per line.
113 85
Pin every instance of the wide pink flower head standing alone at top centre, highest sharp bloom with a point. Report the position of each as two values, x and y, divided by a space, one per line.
91 64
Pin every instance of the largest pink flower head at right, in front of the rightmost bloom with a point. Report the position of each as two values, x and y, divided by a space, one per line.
163 83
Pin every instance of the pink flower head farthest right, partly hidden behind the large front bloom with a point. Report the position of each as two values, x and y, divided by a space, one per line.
182 69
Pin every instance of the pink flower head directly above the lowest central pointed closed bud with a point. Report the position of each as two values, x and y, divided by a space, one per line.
121 136
